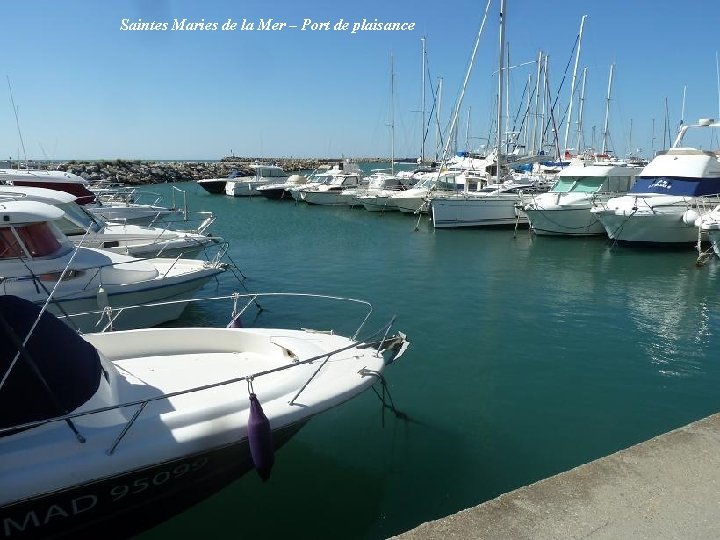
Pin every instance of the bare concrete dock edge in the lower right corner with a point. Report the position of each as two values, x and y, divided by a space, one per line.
667 487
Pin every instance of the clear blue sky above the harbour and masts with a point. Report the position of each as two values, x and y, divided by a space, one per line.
78 86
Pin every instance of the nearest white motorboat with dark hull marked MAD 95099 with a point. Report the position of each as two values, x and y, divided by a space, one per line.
106 435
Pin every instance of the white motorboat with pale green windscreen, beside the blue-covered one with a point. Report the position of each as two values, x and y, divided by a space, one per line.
565 209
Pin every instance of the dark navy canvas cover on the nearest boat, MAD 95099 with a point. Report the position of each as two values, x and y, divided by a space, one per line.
56 373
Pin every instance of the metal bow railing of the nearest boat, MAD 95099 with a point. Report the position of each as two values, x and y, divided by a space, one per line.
380 340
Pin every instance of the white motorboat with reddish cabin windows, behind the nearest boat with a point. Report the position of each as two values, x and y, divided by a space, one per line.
39 262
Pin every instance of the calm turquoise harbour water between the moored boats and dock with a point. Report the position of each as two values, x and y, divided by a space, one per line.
529 356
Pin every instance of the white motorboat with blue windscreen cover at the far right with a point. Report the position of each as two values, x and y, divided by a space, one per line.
677 187
